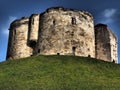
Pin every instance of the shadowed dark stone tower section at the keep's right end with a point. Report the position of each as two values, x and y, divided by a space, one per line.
106 43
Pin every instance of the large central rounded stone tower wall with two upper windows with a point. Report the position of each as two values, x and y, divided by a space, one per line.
66 32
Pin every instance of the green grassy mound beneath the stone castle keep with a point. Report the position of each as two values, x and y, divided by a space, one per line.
59 73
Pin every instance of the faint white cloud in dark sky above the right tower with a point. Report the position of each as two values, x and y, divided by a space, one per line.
108 15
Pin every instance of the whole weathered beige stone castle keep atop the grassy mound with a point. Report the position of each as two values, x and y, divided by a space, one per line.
60 31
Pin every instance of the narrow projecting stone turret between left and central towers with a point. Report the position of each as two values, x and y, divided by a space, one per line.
33 31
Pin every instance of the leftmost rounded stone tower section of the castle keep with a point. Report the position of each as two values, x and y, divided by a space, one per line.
18 45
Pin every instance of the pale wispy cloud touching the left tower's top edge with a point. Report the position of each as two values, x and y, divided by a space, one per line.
5 28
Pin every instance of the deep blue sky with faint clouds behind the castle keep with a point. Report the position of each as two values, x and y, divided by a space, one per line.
104 11
